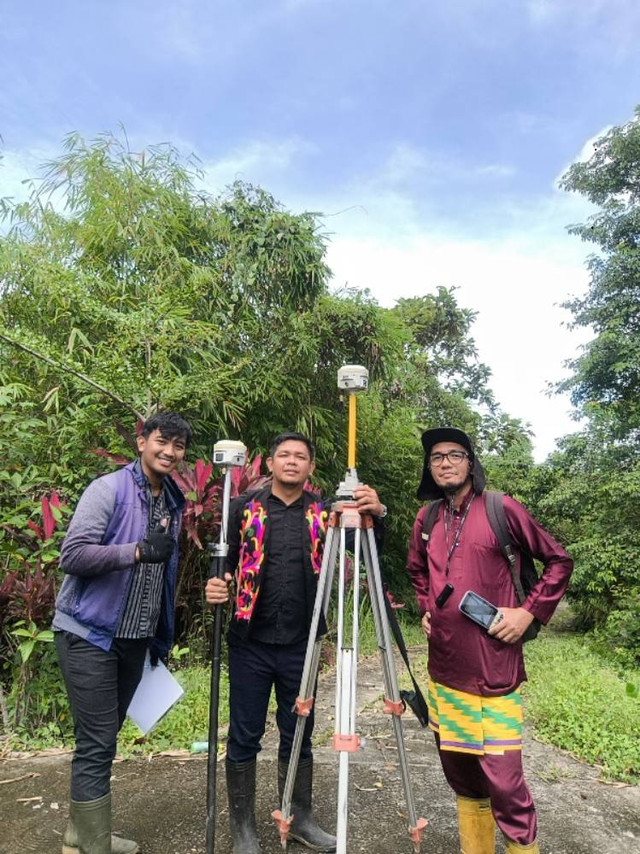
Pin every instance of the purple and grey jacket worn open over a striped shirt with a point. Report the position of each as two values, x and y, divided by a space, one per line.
98 557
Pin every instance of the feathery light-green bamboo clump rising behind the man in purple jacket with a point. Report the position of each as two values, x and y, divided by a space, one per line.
145 293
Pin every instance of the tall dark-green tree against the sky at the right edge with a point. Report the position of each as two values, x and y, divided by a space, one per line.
606 380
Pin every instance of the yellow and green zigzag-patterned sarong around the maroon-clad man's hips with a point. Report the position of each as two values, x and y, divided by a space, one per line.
468 723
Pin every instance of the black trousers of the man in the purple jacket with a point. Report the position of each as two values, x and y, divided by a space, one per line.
100 686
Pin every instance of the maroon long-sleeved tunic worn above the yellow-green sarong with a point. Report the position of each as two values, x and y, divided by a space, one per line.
461 654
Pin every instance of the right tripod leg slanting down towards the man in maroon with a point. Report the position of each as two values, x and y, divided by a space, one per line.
392 697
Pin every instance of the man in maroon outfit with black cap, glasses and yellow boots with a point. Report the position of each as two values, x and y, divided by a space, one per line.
474 674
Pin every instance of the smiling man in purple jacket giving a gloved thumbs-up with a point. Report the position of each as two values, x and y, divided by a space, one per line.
120 557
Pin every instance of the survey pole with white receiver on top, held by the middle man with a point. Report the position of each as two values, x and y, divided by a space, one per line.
226 454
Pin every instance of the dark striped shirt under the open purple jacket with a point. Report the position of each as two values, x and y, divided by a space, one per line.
142 611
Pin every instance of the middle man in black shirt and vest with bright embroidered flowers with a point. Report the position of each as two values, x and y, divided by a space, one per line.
276 536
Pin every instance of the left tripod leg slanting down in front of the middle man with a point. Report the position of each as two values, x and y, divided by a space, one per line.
304 703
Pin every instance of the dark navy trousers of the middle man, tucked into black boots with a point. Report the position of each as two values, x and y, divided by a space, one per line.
254 668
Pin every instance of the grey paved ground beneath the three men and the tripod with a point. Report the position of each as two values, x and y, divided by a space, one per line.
161 802
